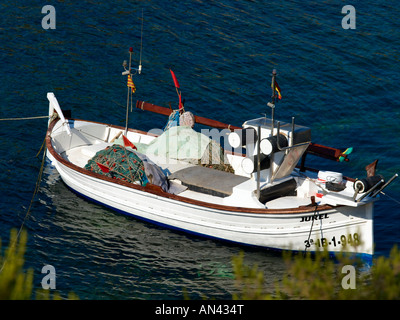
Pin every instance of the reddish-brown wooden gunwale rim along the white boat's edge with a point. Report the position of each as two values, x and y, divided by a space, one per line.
156 190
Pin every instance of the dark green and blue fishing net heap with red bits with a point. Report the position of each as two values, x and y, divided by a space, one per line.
118 162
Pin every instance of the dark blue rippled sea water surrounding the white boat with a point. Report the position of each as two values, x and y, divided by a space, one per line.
343 83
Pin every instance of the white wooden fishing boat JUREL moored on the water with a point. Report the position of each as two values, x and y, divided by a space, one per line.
268 198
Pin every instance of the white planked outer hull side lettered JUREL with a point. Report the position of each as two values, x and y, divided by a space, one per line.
336 229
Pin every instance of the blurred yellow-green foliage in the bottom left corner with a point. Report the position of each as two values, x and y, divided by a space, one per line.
15 283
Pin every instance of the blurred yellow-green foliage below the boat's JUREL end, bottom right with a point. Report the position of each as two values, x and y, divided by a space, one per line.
319 277
